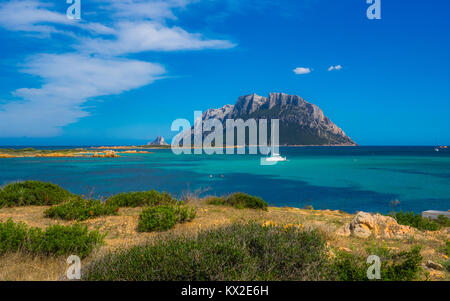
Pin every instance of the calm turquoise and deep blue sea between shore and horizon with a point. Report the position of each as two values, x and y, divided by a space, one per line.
346 178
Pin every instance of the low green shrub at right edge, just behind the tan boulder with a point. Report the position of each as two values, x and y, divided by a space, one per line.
419 222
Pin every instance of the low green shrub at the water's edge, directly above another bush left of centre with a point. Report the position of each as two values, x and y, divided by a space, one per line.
141 198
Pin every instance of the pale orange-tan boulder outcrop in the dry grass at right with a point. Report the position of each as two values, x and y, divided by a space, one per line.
365 225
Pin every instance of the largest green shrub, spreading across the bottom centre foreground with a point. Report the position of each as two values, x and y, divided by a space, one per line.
236 252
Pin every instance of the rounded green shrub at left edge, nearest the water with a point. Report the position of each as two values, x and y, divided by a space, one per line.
32 193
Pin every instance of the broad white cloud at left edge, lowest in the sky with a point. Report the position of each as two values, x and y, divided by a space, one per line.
69 81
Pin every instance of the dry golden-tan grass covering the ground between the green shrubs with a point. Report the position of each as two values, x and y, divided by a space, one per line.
122 232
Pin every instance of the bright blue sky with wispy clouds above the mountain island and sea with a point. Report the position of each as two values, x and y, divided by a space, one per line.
129 68
